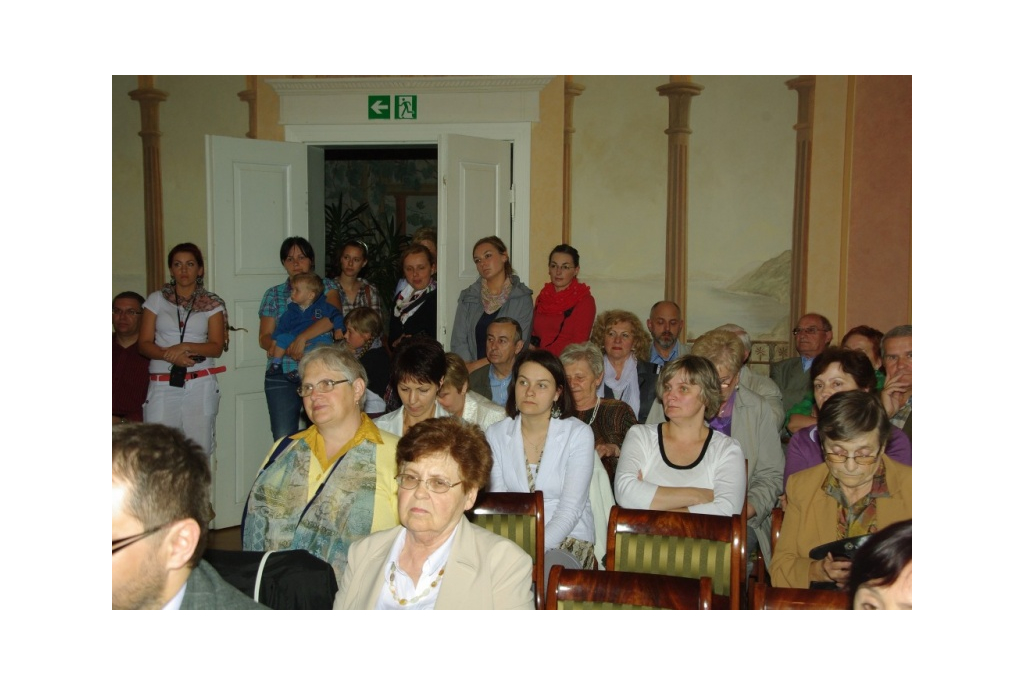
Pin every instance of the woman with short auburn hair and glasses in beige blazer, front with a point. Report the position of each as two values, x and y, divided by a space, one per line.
437 560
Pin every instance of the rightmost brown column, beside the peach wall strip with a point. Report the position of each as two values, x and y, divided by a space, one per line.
804 87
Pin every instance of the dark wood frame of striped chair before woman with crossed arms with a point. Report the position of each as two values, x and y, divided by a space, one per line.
732 530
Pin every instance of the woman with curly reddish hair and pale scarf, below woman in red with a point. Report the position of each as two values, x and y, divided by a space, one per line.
628 376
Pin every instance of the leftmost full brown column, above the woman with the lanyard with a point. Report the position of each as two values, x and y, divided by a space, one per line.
149 100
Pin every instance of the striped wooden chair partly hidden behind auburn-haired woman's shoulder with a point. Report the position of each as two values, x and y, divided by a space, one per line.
519 517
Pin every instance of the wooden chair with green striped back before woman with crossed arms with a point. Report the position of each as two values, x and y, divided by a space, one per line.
671 543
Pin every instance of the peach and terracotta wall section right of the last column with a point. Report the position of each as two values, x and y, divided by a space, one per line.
860 243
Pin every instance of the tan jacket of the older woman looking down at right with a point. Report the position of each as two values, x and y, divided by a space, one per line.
810 520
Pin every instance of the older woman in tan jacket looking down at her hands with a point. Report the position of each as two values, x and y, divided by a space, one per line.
858 491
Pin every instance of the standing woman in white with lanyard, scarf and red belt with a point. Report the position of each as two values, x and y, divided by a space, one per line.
185 328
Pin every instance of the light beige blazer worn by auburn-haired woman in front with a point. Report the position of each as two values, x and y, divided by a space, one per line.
485 572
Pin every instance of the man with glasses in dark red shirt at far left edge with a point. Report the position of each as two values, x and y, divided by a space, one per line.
132 370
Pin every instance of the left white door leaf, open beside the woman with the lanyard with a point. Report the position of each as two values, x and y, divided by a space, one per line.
257 198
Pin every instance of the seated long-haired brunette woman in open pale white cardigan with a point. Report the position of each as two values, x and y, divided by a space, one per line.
535 450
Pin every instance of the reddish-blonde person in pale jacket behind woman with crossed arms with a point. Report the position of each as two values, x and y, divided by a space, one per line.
747 417
